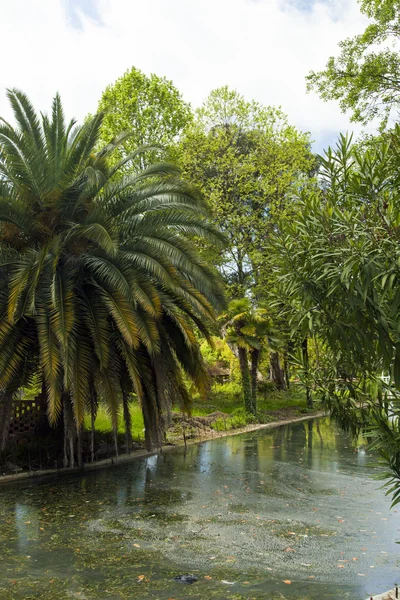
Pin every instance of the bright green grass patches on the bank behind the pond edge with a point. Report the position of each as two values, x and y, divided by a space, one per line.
226 398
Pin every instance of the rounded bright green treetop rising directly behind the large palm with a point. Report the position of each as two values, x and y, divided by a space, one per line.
149 107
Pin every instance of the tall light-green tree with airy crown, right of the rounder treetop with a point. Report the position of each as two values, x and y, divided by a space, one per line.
247 160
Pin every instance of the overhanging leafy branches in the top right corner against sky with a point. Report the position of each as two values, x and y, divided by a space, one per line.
365 77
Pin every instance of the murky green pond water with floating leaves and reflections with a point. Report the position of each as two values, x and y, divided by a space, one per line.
243 513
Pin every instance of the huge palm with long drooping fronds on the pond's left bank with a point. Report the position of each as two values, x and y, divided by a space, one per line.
100 276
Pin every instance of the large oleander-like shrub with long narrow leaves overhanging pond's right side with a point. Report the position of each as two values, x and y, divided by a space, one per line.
338 263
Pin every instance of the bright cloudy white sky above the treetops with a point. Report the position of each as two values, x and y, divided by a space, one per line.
262 48
